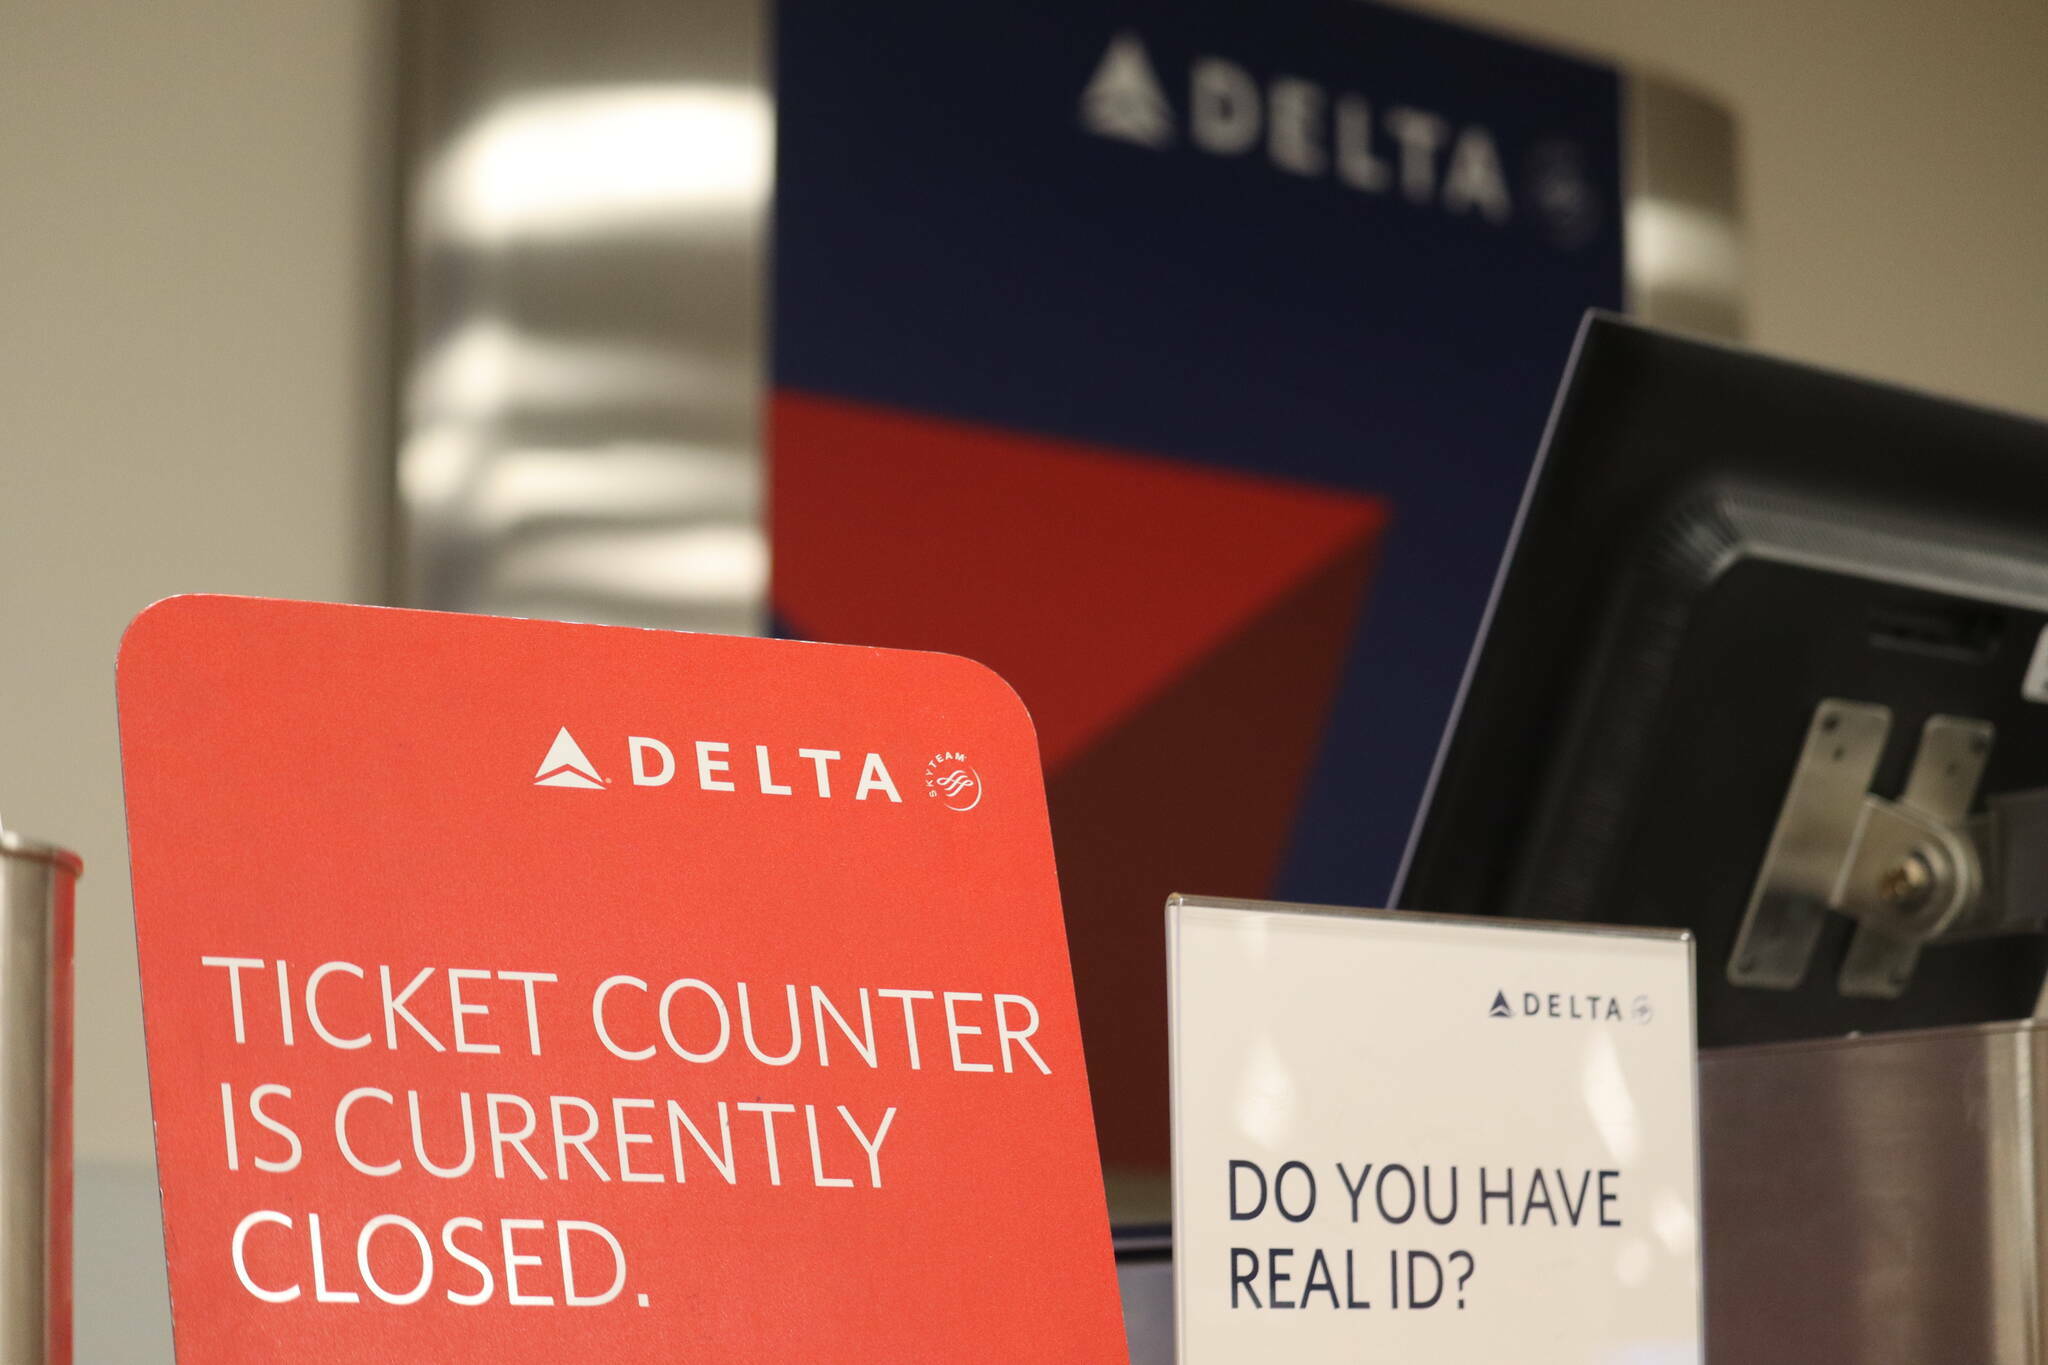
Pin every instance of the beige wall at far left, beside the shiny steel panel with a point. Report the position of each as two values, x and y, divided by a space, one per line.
189 308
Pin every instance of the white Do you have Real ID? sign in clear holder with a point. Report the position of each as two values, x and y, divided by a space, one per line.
1426 1139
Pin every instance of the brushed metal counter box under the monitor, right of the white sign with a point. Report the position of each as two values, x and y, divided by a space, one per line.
1875 1200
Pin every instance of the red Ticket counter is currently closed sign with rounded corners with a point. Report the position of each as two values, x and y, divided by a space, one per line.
527 992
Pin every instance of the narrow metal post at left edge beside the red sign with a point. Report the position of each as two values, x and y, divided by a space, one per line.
36 1090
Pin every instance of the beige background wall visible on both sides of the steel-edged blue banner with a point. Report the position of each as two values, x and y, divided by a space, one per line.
194 337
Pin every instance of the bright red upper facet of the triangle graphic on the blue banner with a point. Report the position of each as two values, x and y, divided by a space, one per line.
1086 576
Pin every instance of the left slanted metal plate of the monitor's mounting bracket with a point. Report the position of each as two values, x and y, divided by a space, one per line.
1816 828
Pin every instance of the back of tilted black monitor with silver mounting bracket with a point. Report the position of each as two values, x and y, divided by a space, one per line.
1766 660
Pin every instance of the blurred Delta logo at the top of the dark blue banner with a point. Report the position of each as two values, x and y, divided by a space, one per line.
1318 134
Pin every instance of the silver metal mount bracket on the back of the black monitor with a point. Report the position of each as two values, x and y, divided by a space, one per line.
1912 873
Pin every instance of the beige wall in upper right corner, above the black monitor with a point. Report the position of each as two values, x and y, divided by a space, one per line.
1893 171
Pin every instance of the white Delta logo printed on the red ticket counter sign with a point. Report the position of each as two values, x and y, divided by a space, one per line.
720 768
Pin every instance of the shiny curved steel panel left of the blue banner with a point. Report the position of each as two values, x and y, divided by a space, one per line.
583 310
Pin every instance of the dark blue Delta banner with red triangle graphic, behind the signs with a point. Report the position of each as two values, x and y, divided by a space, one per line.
1316 249
